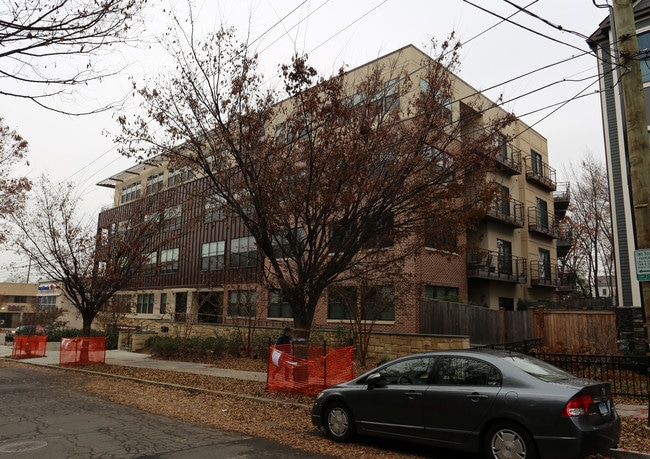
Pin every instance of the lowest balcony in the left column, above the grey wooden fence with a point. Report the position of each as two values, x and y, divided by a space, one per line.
488 264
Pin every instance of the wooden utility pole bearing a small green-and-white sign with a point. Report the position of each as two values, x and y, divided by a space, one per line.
636 125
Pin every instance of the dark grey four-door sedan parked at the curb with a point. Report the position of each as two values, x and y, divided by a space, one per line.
498 403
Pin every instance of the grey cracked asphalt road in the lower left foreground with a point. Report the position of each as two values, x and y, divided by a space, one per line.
42 417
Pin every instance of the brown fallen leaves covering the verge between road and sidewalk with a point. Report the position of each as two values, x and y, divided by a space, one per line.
246 407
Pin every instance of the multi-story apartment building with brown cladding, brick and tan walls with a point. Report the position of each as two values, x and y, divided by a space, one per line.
212 269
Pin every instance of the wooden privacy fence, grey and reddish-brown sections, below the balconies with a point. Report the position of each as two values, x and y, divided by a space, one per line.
576 330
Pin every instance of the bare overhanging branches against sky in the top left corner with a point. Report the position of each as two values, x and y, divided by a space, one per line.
50 45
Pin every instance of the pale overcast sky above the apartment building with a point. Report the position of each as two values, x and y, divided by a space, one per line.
336 33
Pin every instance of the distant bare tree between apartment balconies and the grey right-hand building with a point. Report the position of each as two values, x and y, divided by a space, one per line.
592 253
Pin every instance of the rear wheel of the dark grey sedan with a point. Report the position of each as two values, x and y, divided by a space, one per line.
506 441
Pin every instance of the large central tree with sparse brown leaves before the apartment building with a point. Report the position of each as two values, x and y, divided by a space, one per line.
329 178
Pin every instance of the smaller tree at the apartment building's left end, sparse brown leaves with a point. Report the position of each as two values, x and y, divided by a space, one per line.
89 266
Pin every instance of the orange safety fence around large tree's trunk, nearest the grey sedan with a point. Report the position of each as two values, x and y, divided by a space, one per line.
287 373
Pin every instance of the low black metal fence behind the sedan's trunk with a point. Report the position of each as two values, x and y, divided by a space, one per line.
628 375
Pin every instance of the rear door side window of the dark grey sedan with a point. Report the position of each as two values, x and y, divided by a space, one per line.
461 371
